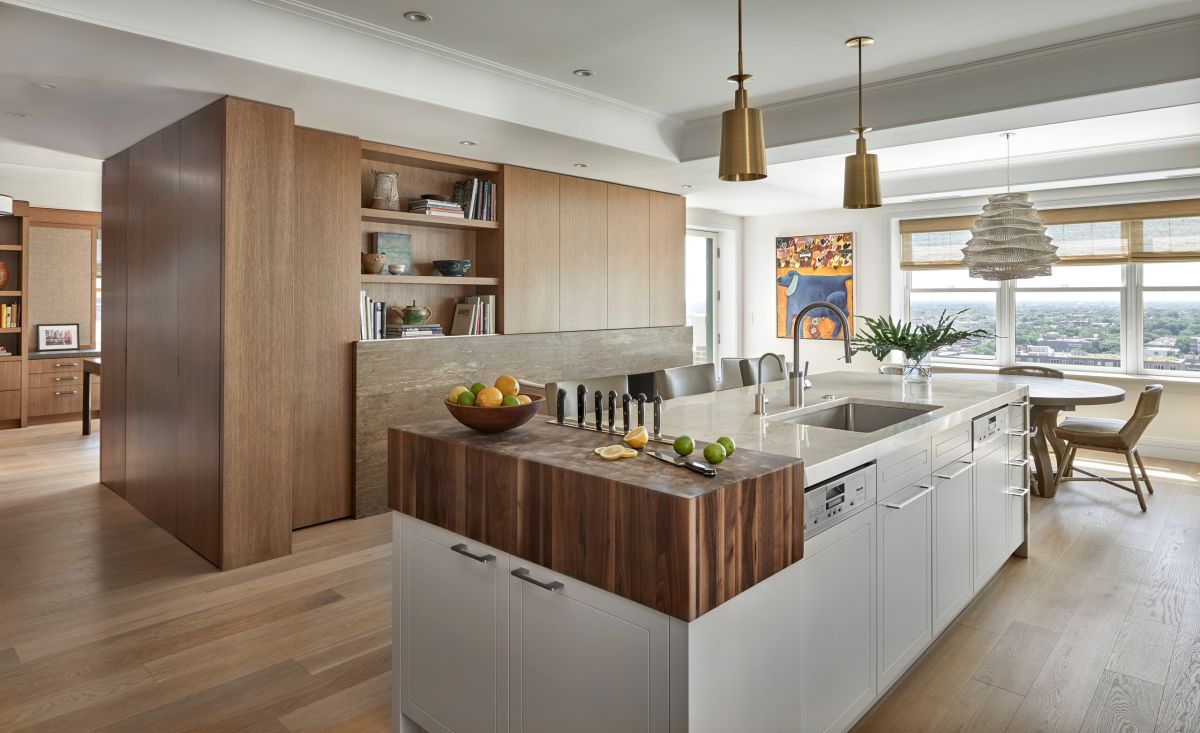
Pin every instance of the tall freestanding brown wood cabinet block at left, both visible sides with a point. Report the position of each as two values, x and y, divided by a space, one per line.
199 368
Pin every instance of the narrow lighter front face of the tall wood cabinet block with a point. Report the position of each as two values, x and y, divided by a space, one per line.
259 377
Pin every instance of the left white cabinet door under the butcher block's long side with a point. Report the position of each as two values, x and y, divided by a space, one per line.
453 628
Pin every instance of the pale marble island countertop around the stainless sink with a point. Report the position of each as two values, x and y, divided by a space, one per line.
829 452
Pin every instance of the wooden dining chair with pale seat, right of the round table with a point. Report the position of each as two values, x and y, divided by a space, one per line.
1113 437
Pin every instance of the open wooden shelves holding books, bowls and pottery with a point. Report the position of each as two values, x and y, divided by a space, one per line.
433 237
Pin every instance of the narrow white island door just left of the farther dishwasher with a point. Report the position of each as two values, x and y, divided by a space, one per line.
953 572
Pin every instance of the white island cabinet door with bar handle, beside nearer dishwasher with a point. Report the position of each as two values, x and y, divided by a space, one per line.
905 568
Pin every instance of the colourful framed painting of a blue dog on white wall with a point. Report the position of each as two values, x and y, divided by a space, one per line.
809 269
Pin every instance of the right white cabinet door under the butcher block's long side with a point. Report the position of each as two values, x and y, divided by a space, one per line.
584 660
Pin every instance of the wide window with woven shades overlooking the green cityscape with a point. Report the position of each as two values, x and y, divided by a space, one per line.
1125 299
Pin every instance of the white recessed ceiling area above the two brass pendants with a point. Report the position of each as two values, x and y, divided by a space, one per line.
674 56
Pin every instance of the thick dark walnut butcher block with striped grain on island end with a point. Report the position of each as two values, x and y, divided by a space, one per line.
655 533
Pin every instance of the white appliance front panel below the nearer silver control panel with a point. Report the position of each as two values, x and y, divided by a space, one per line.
838 622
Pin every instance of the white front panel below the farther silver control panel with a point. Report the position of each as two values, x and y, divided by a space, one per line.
992 503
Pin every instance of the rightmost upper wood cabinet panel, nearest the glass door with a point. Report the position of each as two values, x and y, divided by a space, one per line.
667 257
